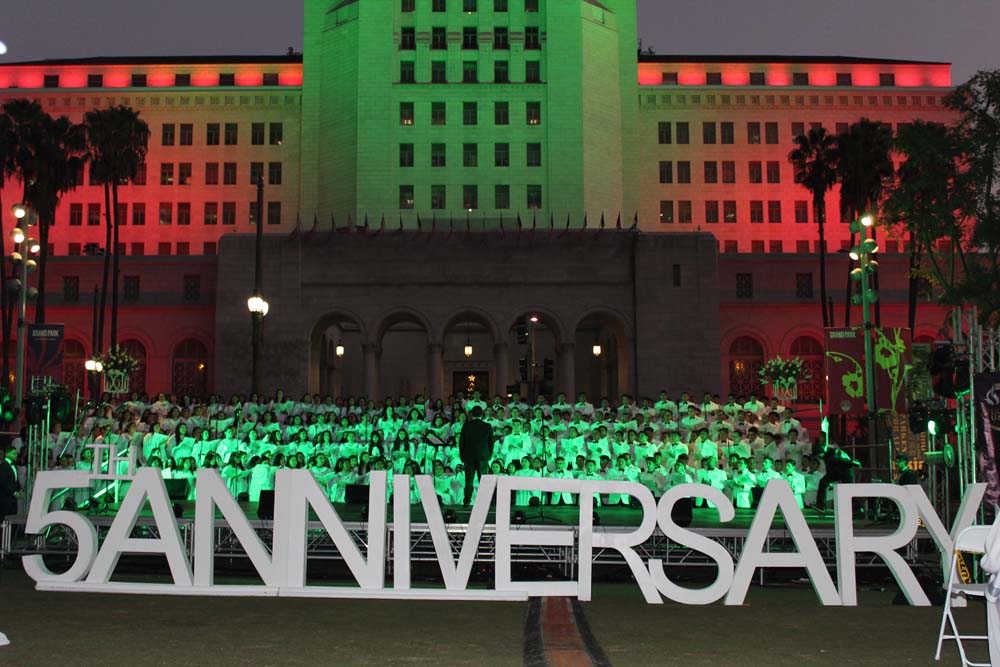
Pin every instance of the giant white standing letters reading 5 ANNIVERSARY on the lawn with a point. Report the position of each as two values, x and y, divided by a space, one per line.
281 565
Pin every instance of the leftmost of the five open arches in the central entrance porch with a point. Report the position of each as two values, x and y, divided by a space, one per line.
336 357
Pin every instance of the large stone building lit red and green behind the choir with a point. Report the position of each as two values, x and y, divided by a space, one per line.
518 118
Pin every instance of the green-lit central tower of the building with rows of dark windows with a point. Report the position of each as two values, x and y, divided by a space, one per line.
479 109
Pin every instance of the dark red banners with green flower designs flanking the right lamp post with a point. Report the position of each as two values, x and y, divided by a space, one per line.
845 369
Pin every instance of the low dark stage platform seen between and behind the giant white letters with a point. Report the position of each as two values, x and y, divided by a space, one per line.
562 560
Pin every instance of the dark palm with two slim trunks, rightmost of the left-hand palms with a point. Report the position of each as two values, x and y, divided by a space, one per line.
118 140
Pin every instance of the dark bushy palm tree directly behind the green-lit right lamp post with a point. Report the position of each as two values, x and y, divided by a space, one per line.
865 168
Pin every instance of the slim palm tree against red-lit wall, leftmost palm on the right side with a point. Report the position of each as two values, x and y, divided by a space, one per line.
815 163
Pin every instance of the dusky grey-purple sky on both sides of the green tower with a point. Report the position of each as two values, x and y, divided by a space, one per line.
963 32
